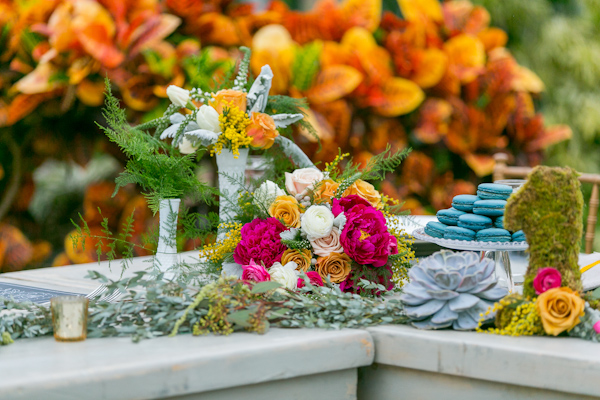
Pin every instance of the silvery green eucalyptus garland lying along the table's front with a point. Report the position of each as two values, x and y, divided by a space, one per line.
150 307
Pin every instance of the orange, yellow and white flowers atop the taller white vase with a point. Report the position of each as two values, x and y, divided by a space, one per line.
228 118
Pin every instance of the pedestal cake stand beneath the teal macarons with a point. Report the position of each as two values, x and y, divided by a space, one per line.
496 250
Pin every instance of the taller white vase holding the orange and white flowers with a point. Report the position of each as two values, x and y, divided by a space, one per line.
232 180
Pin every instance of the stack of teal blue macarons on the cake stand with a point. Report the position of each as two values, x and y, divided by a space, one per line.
478 218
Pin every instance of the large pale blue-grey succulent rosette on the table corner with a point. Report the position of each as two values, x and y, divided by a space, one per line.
450 289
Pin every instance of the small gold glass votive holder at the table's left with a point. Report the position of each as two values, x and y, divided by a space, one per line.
69 318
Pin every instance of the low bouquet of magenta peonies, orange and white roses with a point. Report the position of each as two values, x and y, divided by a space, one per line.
329 225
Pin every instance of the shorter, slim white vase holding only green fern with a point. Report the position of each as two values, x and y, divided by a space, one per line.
166 252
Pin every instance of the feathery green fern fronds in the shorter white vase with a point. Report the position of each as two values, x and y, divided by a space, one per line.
157 167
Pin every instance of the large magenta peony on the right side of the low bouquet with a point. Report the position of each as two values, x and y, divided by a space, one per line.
365 236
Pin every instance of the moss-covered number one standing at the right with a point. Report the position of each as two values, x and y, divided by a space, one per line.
548 208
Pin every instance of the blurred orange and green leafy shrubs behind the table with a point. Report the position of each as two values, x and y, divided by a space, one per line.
455 80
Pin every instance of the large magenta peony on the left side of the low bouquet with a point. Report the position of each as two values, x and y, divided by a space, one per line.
260 242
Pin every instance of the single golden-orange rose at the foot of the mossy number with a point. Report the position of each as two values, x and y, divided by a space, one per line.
559 309
